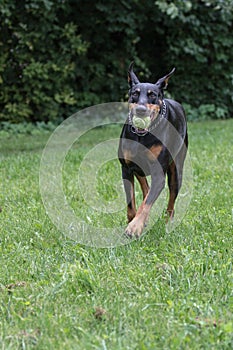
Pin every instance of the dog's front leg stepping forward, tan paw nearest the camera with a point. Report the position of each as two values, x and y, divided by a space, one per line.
136 226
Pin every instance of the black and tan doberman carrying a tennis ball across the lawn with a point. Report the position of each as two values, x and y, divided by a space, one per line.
153 142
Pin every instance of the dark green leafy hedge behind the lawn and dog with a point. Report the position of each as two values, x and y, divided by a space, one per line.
59 56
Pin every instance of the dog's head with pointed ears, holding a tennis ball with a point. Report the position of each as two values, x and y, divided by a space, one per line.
145 100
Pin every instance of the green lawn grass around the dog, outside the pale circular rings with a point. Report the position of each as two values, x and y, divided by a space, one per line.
166 291
